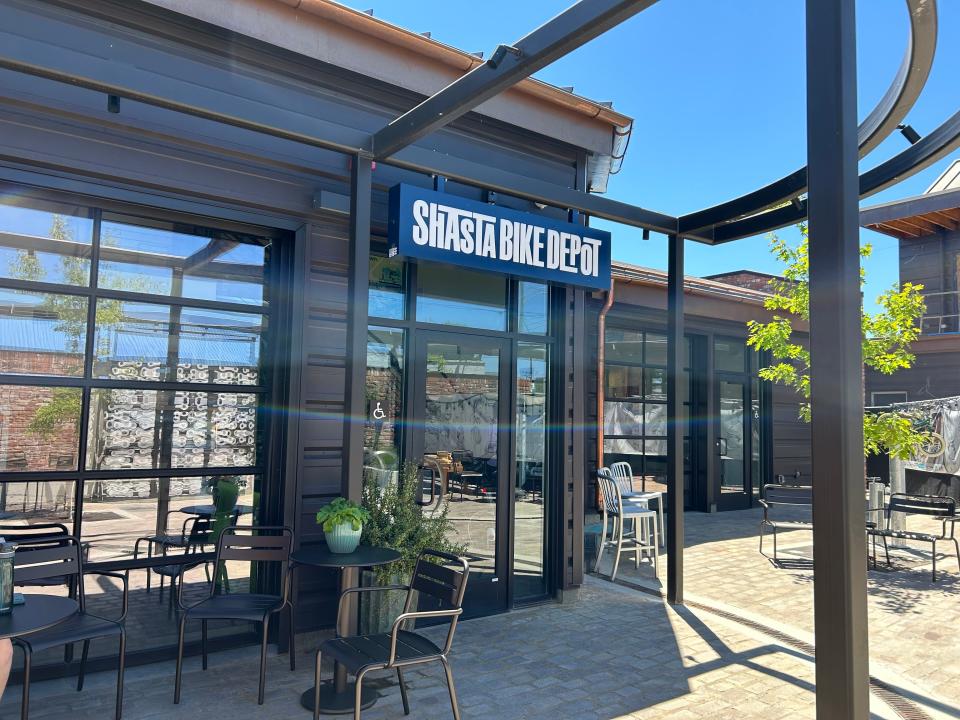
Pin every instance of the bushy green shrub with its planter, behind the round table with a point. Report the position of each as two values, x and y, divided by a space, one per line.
396 521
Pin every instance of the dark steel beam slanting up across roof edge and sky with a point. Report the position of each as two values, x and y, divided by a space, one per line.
508 65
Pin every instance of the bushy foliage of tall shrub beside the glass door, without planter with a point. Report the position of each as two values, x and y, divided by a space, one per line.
397 522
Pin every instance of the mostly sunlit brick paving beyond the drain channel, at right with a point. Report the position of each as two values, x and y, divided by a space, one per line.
914 623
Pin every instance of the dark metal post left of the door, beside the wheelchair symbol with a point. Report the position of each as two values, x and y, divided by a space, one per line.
355 399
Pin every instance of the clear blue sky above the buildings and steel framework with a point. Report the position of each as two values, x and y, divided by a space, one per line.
717 93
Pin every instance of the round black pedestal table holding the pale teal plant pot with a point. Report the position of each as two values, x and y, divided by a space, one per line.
337 697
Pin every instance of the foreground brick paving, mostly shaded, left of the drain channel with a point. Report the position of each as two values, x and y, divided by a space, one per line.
611 653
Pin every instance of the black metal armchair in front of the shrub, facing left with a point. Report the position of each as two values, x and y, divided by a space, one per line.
400 648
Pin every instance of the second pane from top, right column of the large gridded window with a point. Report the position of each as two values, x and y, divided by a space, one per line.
143 341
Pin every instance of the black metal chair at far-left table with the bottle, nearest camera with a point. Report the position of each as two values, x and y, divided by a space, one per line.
62 559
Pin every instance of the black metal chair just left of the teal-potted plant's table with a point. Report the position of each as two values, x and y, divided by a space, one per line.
255 544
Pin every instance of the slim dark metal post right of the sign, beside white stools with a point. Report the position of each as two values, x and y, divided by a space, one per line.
676 422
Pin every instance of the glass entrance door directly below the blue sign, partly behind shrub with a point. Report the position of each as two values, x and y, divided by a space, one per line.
460 437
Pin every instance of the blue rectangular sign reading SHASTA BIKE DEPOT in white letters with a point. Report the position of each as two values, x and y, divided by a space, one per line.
445 228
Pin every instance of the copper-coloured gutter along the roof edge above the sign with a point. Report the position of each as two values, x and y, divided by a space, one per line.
453 57
